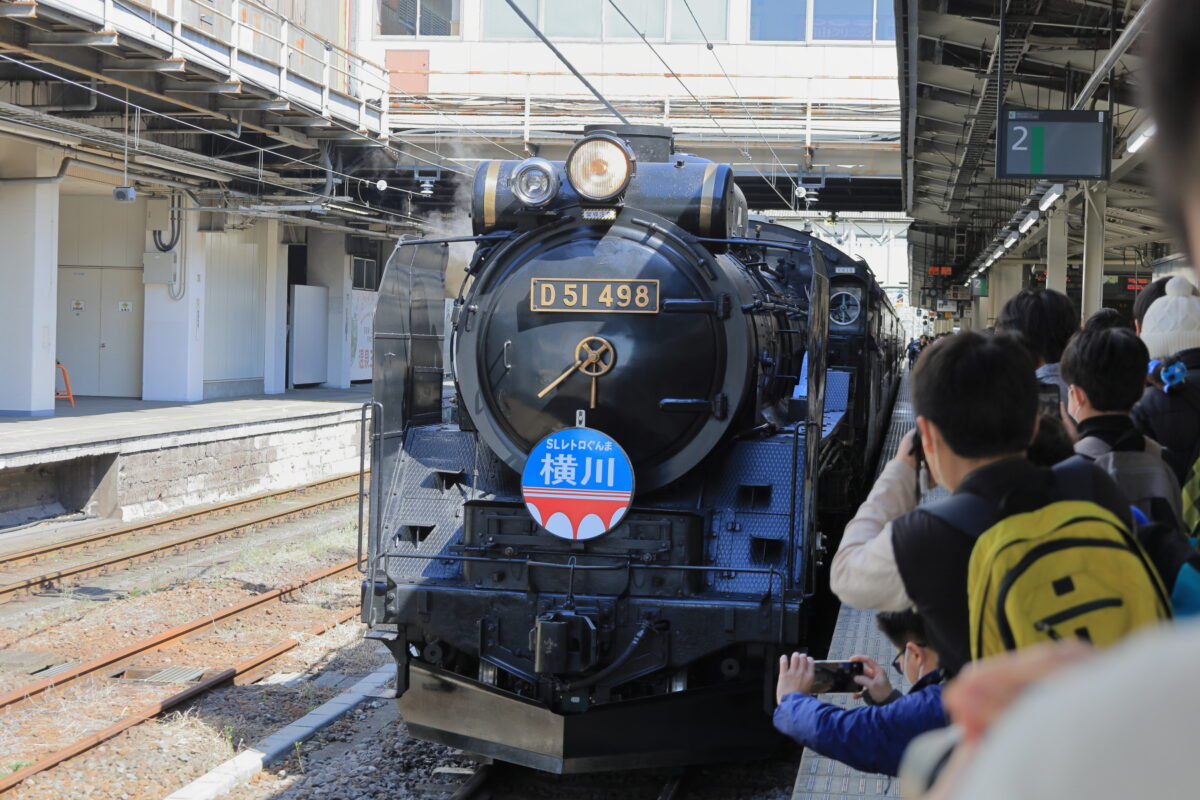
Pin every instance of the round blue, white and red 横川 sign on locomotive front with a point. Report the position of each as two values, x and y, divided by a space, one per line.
578 484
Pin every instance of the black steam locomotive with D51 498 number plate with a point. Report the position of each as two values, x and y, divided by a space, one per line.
616 292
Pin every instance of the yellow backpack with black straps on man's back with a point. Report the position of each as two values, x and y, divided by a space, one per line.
1070 569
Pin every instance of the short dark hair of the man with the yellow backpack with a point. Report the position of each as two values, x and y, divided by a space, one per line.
980 392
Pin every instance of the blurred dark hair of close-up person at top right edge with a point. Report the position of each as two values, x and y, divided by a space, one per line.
1173 63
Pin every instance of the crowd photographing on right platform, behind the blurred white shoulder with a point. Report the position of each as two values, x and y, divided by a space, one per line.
1071 453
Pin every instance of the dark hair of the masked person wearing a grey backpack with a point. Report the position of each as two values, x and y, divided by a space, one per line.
1109 366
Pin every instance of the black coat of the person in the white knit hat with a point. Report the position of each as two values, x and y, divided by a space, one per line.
1173 419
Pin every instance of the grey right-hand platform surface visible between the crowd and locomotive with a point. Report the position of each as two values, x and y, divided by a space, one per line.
856 634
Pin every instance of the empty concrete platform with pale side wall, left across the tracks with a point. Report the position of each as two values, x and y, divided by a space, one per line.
127 459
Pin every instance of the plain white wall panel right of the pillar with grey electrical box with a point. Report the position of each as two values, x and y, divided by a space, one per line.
235 312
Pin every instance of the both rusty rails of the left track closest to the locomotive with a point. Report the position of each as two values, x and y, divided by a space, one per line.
113 664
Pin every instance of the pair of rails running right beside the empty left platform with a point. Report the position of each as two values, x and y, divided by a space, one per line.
10 591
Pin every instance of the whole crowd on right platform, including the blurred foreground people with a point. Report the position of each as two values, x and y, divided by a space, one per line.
1042 610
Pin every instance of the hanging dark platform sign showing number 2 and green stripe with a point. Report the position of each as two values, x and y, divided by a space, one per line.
1060 146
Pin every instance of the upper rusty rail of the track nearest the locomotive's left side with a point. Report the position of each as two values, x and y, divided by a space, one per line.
111 661
